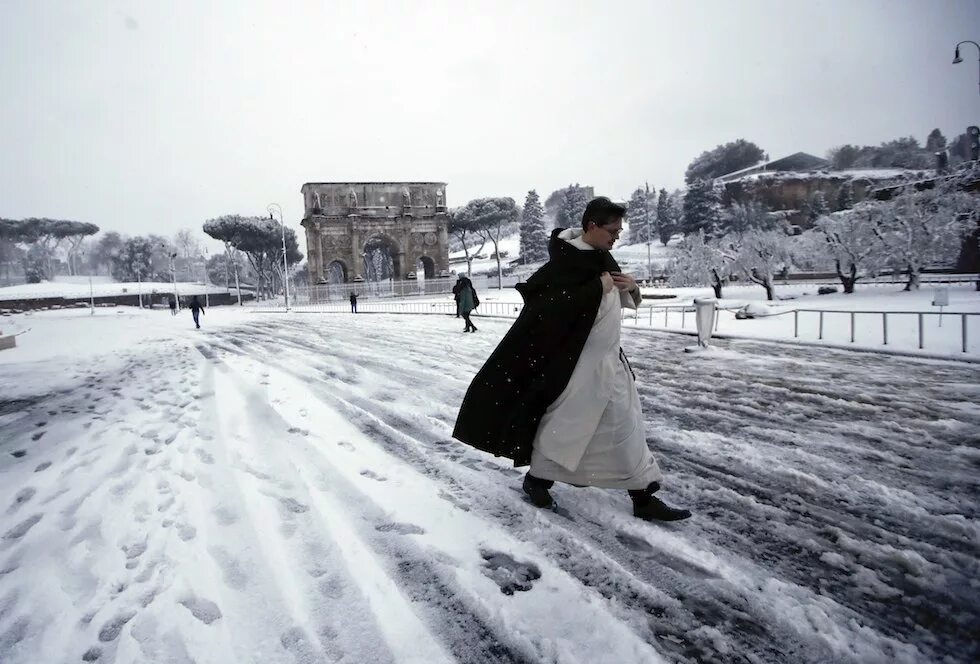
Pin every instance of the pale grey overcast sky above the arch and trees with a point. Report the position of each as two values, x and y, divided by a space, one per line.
149 117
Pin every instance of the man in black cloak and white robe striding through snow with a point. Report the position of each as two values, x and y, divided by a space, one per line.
558 393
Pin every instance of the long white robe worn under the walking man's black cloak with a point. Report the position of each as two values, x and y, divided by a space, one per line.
594 433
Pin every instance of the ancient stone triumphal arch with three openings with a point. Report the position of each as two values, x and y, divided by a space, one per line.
343 218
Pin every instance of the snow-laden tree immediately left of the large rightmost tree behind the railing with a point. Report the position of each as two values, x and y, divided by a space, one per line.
850 242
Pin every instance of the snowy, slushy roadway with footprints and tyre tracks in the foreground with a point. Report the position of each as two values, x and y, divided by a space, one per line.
285 489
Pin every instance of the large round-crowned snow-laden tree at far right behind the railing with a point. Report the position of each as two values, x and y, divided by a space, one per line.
919 228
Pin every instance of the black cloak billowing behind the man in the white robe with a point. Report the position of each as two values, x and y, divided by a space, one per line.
534 361
